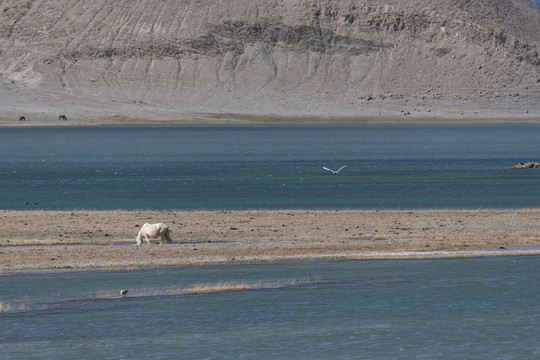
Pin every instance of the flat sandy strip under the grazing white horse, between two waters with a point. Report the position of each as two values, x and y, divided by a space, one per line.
106 239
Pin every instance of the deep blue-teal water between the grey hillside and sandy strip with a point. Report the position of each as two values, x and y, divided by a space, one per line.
268 167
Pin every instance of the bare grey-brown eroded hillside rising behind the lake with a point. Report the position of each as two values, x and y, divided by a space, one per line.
343 58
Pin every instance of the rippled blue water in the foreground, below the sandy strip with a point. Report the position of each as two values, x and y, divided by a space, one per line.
484 308
